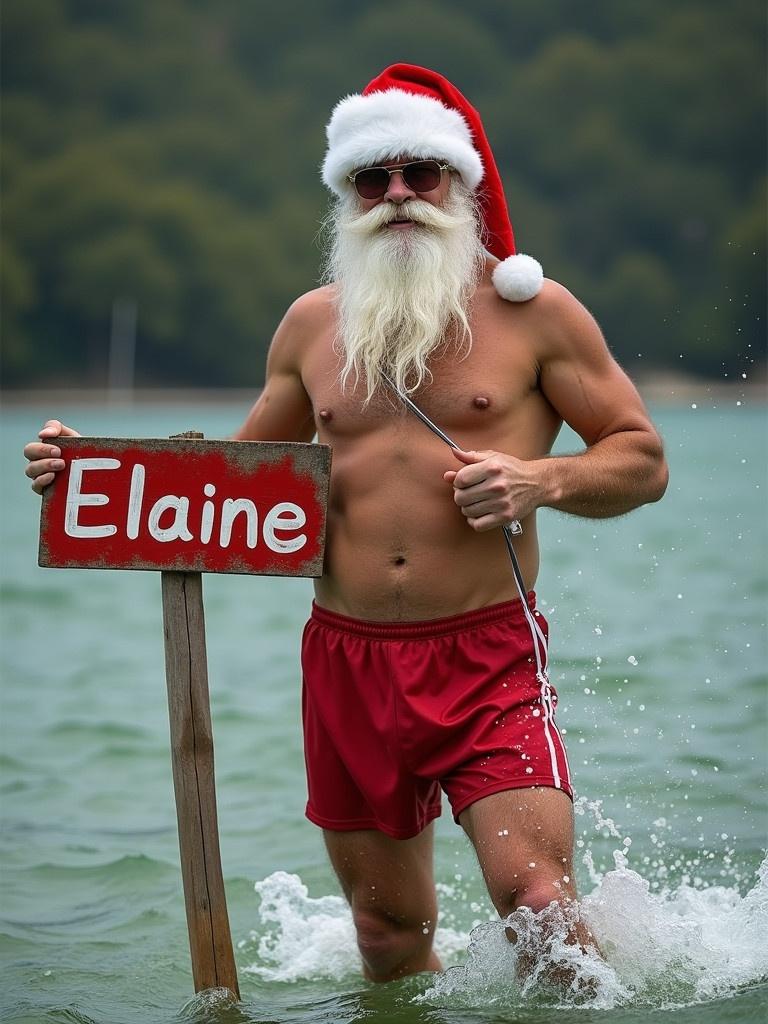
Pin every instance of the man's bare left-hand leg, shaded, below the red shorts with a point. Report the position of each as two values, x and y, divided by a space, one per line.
391 889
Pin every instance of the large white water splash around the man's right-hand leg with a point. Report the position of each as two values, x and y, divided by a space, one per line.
662 951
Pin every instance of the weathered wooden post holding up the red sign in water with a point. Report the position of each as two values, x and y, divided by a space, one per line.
192 755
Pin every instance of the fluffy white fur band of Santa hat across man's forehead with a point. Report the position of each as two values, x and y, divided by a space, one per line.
365 132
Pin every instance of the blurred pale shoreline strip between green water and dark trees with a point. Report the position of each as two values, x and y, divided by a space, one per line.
664 389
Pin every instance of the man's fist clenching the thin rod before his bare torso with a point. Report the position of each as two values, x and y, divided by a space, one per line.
493 490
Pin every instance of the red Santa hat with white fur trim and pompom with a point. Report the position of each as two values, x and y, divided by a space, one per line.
413 112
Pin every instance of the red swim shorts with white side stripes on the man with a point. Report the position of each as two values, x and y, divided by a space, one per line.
396 711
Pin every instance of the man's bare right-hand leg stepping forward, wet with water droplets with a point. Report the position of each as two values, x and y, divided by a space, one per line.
525 844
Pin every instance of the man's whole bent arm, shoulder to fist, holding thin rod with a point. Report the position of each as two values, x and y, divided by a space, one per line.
623 465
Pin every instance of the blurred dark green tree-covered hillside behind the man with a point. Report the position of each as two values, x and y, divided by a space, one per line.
167 153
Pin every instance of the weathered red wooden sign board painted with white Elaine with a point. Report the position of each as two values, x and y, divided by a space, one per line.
189 505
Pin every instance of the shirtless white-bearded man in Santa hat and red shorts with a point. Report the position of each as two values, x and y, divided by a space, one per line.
423 671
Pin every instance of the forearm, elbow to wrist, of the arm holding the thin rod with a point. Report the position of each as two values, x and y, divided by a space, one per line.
610 479
